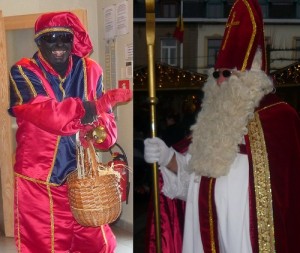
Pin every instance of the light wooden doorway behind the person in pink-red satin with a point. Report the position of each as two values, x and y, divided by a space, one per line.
16 41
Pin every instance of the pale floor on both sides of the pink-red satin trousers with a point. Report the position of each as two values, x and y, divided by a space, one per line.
124 240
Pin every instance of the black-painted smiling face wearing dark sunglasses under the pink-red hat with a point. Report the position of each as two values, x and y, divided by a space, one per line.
56 48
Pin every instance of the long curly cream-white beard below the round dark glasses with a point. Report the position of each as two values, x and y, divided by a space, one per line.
222 122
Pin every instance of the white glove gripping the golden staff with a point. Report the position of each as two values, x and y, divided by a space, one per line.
157 151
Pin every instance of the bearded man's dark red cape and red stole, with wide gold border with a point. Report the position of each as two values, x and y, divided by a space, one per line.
273 148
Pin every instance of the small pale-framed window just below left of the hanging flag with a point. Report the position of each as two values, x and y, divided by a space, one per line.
169 51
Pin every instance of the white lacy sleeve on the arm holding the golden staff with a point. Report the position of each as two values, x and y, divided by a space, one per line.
176 185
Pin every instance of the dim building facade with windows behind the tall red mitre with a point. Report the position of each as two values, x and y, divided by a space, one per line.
203 25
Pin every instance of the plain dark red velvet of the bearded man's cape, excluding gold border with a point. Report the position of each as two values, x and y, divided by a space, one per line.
281 128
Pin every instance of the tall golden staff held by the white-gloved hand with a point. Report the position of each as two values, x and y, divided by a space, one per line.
150 38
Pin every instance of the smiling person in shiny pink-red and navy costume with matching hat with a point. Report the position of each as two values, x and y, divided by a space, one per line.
54 95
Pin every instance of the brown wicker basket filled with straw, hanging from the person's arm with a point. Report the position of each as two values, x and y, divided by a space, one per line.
93 191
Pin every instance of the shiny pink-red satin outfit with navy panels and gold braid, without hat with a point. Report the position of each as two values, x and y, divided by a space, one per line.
48 112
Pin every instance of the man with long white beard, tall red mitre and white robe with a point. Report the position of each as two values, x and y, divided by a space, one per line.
240 176
